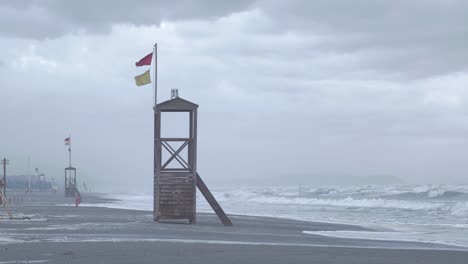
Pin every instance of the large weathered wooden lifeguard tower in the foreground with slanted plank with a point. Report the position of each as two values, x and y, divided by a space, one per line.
175 168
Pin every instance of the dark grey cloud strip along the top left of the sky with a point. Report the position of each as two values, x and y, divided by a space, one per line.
53 18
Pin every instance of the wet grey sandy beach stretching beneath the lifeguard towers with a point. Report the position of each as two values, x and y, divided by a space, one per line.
61 233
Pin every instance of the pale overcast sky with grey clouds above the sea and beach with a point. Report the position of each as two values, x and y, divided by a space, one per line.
289 91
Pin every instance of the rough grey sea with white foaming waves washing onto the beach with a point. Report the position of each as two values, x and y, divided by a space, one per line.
418 213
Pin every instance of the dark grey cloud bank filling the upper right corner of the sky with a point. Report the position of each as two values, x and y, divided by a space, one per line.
411 38
